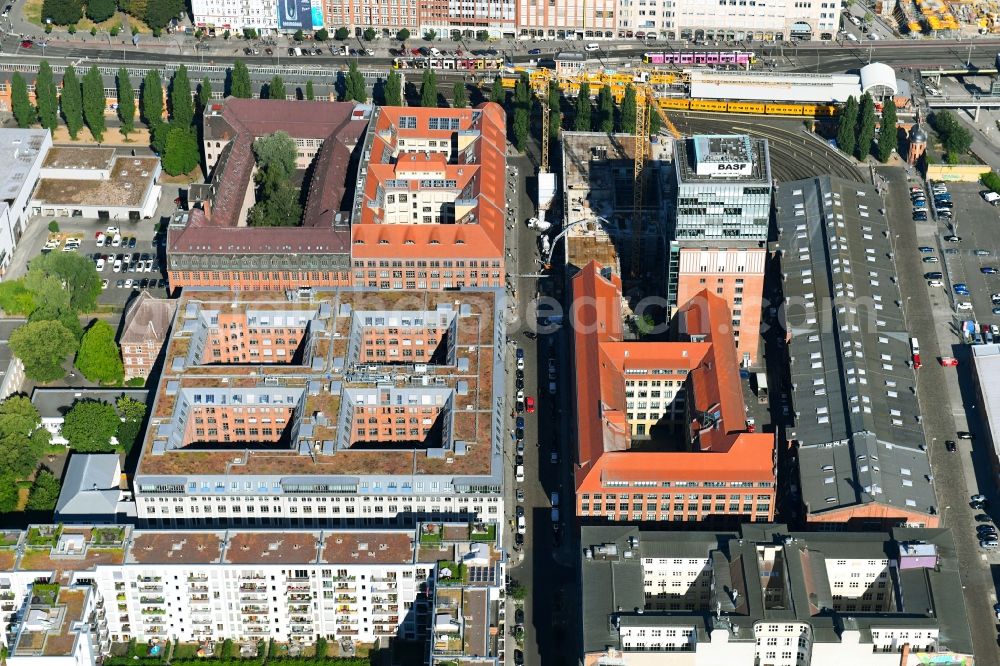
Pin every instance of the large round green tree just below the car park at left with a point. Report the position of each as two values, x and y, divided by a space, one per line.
79 284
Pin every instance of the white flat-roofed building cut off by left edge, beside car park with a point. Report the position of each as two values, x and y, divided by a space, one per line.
22 152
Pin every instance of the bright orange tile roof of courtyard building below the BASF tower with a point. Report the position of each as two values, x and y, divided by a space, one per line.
601 360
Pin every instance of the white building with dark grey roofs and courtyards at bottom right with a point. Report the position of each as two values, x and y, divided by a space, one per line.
764 595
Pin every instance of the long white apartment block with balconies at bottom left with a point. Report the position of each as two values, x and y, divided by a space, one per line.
353 586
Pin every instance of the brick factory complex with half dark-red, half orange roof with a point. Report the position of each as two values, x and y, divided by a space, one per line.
409 198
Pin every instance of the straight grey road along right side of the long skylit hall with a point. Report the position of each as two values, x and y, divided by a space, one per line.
929 319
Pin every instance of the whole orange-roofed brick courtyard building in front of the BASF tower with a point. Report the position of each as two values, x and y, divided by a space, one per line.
663 426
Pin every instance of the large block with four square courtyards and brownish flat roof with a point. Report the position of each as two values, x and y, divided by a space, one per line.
338 407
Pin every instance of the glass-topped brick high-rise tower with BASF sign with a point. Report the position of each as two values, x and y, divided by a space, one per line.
720 229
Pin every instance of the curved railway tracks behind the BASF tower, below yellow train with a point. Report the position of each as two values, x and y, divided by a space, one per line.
794 155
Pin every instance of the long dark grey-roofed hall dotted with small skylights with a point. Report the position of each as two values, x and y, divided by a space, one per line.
860 446
